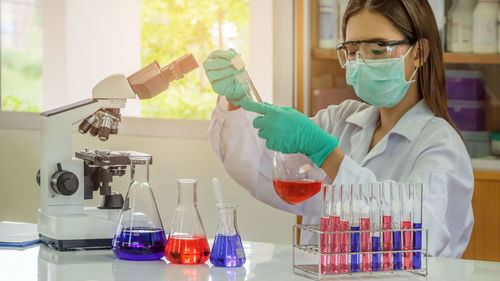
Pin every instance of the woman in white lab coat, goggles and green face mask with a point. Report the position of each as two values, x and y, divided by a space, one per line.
393 59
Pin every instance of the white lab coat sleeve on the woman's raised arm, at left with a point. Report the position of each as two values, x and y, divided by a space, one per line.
244 155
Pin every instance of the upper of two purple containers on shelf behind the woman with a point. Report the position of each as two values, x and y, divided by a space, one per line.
465 85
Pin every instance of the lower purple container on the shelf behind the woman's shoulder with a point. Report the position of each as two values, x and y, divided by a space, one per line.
467 115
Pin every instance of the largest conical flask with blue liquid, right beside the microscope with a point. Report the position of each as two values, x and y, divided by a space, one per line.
139 235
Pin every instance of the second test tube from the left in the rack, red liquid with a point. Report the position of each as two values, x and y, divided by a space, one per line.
335 224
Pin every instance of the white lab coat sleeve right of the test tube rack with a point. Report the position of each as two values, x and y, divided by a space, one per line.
446 174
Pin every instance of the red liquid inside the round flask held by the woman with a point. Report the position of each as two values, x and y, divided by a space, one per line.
294 192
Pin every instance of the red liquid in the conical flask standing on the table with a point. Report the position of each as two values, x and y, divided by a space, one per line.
187 249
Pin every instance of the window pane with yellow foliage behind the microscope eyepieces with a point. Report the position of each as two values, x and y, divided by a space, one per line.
171 28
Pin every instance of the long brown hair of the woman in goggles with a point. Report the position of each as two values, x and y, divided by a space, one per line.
415 19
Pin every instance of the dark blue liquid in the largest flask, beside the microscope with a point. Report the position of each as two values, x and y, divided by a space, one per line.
140 244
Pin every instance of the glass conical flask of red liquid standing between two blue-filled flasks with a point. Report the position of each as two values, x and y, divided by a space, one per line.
187 242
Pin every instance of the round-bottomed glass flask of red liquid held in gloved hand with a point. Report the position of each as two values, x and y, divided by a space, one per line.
295 177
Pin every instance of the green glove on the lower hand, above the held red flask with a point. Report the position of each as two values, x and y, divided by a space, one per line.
289 131
